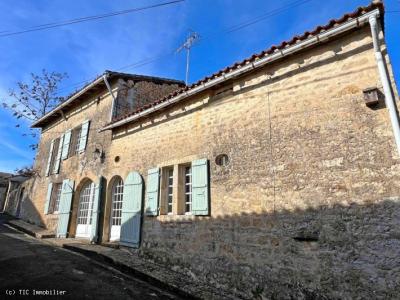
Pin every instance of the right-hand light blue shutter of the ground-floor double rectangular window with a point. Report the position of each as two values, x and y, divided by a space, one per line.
200 201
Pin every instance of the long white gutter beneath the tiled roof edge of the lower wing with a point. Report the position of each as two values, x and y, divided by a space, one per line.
317 39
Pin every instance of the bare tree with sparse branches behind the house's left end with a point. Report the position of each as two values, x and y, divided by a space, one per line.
32 101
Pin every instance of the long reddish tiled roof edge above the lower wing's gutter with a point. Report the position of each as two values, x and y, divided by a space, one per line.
332 23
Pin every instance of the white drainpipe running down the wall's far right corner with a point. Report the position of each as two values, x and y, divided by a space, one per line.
389 99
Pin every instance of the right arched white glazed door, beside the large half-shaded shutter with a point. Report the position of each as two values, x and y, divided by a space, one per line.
117 194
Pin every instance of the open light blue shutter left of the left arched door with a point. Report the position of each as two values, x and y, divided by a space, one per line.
64 209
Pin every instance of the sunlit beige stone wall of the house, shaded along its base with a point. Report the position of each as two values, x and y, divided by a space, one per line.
309 203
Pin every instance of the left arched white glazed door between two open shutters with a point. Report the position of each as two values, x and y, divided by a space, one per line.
85 209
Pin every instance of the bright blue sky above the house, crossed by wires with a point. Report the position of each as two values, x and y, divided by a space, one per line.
87 49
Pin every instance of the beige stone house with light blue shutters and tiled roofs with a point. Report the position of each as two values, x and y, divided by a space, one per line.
276 176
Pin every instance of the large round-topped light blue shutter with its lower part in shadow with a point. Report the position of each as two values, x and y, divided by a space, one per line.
132 210
